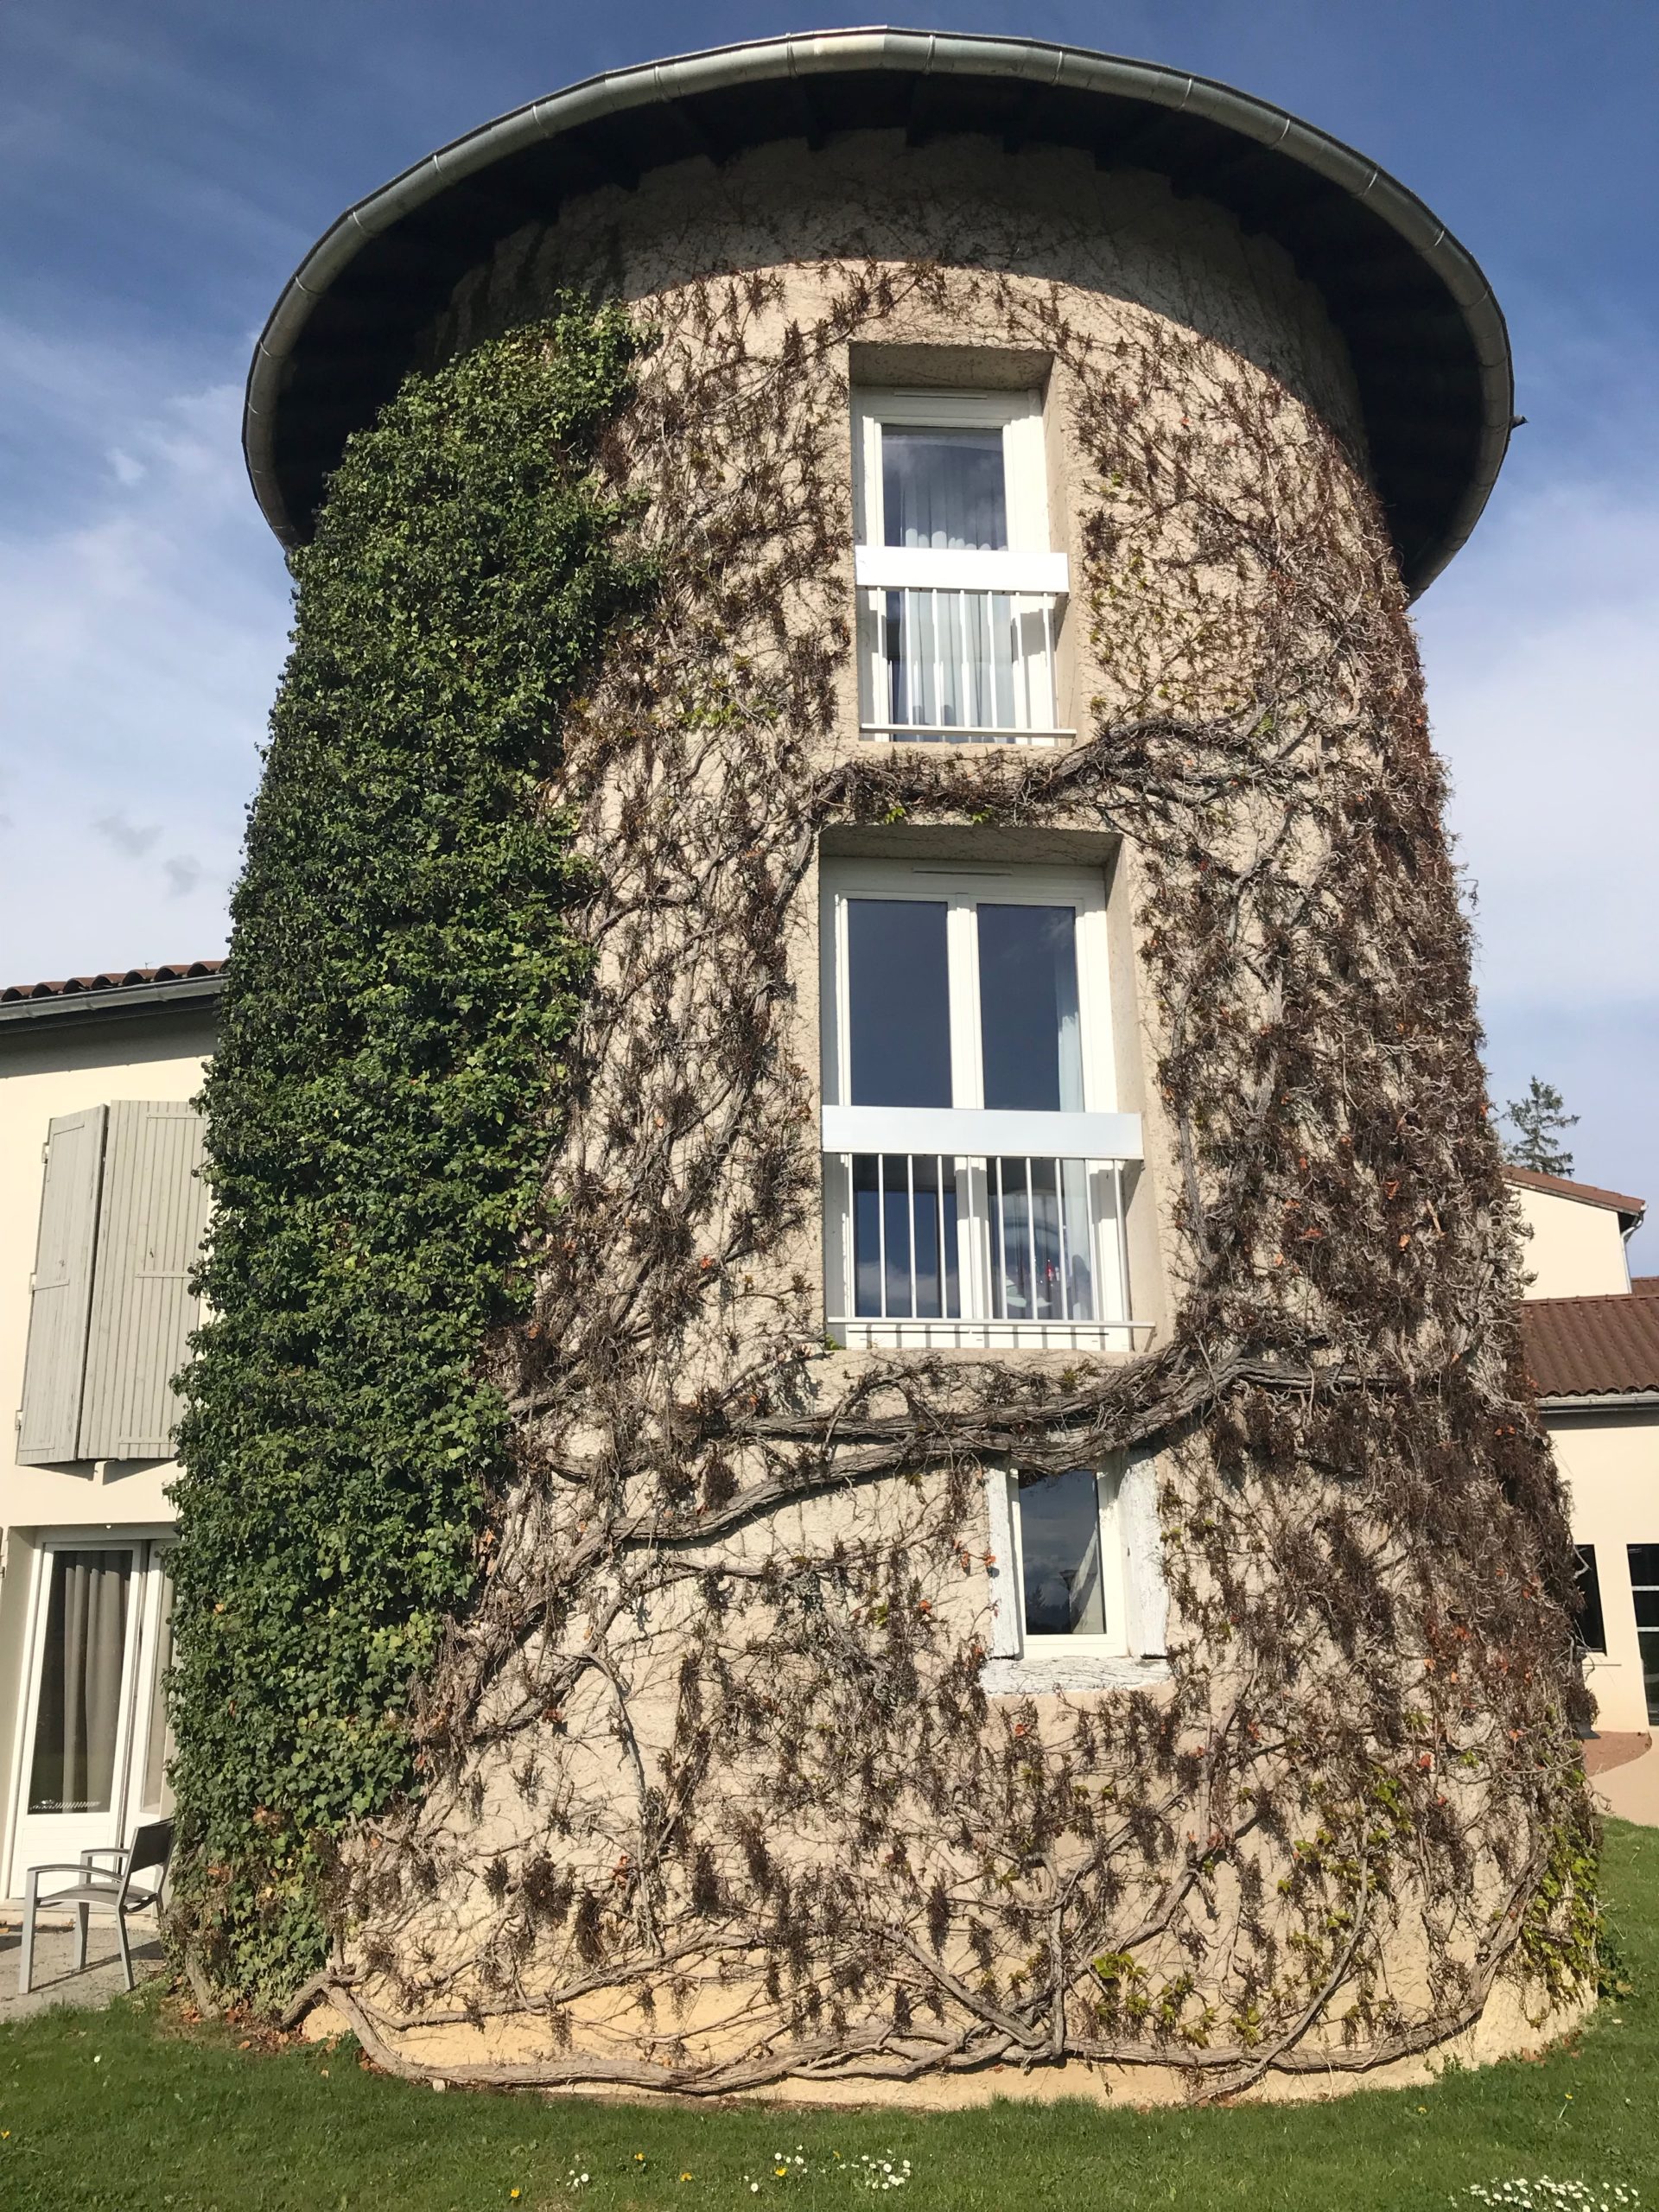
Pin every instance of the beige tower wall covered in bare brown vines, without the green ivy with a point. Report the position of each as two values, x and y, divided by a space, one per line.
718 1795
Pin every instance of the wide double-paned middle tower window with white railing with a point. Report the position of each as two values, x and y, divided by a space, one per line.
974 1187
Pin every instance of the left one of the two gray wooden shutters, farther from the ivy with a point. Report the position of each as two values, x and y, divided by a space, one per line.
63 1288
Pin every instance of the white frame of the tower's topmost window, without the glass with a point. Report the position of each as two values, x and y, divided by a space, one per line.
1030 565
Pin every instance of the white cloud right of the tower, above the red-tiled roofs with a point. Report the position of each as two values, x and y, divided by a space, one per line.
1543 658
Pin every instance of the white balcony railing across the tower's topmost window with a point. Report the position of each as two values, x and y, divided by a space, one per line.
959 647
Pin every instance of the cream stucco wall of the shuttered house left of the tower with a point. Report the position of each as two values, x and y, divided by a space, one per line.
52 1070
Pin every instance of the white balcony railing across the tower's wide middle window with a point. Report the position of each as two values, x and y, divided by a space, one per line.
974 1242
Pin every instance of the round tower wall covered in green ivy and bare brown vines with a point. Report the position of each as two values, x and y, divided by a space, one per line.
676 1614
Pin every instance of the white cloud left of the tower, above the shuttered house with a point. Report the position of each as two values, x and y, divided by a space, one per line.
140 638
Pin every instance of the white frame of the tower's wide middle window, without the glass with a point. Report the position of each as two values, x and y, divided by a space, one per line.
968 1131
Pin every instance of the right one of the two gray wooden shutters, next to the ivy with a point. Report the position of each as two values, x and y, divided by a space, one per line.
149 1235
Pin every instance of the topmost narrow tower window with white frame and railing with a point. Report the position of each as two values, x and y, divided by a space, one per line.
959 589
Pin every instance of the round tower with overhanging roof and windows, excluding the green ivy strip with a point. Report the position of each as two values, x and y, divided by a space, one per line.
1021 1550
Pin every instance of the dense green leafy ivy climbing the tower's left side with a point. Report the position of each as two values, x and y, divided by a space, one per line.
382 1109
